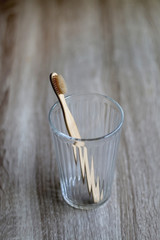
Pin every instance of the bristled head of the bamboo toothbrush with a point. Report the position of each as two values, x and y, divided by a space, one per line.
58 83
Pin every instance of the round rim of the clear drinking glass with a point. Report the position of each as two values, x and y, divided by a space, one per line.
67 137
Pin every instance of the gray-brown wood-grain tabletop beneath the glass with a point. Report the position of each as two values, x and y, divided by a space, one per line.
110 47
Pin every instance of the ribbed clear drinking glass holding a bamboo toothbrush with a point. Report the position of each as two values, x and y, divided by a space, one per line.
99 120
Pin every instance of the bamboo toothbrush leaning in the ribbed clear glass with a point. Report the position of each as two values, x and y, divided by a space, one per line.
60 89
